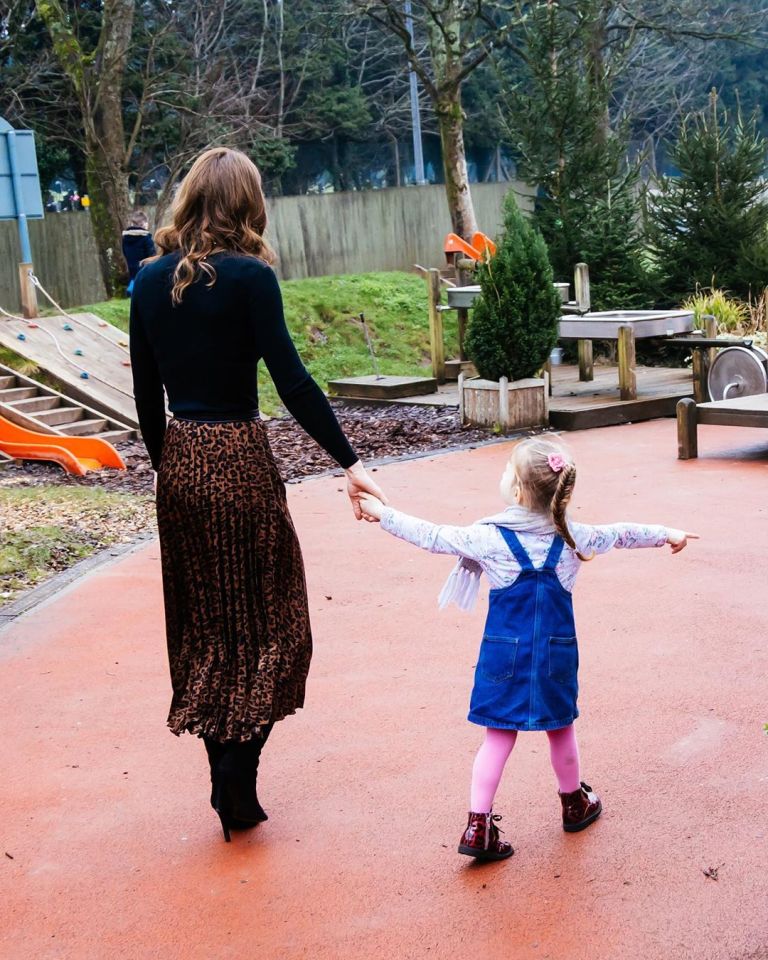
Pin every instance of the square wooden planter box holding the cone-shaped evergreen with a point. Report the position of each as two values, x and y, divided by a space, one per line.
508 405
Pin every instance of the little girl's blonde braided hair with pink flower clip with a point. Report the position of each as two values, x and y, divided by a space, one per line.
546 476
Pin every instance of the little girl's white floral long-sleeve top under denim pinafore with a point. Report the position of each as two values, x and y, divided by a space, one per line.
483 543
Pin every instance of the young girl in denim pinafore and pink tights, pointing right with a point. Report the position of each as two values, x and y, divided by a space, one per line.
526 674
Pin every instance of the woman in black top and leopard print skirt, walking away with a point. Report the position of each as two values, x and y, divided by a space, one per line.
204 311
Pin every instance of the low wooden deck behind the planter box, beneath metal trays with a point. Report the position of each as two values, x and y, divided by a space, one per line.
579 406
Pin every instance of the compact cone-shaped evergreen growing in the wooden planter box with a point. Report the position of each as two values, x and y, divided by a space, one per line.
513 326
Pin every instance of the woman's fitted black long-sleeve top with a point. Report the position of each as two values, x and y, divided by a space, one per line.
205 352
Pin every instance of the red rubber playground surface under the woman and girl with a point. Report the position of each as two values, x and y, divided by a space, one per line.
111 849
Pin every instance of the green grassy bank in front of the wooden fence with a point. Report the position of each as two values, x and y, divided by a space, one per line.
321 314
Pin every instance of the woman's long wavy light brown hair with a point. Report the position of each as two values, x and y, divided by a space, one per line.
219 206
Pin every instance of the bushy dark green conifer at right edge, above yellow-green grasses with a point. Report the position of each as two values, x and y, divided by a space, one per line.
709 225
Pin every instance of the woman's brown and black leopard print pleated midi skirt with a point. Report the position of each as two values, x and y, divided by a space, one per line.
237 621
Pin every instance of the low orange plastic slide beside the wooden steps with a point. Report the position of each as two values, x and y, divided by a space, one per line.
76 455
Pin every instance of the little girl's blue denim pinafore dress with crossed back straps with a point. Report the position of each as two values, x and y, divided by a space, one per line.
526 674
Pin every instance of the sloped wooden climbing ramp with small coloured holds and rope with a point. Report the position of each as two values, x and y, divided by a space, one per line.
87 357
